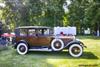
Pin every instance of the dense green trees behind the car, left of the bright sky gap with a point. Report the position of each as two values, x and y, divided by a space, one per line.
34 12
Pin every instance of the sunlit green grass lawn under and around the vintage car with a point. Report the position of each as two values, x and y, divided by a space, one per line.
90 58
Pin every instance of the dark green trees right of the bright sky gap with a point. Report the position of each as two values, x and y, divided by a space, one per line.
84 14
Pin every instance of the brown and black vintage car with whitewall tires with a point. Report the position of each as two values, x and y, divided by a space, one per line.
41 38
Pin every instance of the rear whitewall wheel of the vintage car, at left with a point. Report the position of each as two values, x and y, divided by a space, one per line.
22 48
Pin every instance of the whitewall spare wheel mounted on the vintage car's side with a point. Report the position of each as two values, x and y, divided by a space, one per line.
57 45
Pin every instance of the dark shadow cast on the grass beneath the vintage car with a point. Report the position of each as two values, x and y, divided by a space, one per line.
62 55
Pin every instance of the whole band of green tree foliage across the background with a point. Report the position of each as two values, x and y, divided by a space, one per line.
82 13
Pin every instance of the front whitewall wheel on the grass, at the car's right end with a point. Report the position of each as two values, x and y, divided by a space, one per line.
75 50
